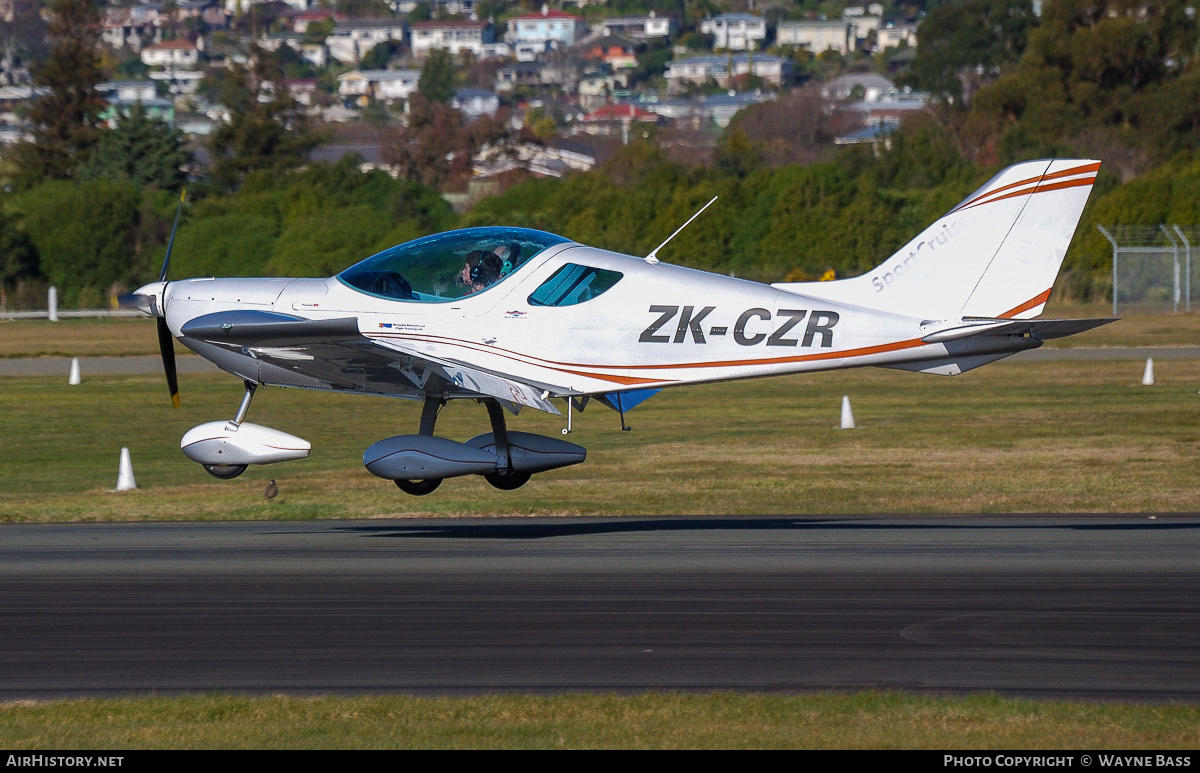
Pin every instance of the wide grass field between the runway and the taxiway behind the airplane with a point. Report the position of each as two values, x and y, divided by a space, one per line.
1081 436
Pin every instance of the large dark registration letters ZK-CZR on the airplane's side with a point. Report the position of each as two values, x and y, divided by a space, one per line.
785 326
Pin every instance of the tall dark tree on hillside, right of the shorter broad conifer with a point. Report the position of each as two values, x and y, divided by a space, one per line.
269 134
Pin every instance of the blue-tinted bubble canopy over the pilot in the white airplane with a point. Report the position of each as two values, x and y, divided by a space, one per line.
448 267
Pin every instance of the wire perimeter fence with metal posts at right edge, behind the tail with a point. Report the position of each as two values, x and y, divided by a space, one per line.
1153 267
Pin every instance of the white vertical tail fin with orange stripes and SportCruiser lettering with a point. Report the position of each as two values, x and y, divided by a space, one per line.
995 255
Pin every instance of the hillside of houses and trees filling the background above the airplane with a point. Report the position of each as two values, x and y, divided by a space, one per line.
830 129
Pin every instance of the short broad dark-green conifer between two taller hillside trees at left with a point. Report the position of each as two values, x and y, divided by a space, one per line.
142 149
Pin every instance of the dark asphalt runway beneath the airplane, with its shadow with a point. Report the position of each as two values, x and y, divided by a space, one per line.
1096 608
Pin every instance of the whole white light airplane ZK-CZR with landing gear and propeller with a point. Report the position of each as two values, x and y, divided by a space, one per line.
518 319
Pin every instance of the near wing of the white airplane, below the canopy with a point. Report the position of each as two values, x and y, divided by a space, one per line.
283 350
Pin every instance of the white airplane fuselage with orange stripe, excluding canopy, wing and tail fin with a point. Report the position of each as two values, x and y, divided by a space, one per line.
661 326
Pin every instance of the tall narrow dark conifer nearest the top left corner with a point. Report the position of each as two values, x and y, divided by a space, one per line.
65 117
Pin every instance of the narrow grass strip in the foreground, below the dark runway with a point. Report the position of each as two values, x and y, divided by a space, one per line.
868 721
